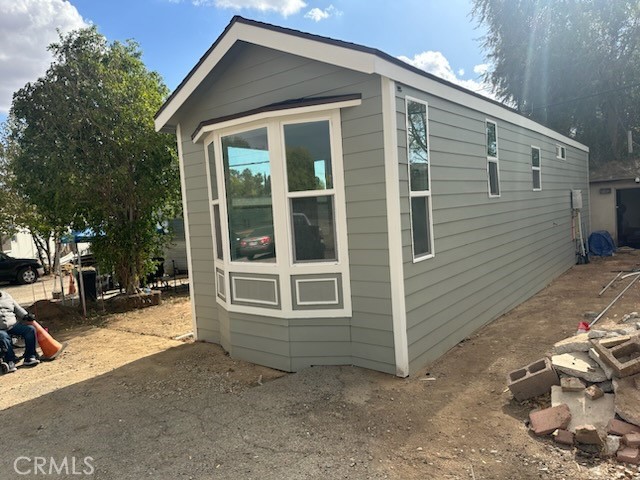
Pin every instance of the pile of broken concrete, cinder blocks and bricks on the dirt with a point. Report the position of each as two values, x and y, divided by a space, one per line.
594 381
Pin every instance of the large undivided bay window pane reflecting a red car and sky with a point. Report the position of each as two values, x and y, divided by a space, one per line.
248 183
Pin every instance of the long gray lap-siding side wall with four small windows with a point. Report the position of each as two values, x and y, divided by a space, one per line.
490 253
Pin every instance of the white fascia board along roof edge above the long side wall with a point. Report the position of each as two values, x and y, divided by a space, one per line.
433 87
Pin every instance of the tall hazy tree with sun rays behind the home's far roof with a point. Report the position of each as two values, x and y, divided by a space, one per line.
570 64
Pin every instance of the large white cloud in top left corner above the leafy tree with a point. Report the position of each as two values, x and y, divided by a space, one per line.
27 27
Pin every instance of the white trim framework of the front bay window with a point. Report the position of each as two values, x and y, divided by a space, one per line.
282 267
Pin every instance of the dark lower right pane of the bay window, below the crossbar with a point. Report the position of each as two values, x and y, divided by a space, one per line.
313 228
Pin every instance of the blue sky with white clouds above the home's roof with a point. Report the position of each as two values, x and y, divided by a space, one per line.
436 35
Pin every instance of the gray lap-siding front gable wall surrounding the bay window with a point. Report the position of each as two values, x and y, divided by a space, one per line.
252 77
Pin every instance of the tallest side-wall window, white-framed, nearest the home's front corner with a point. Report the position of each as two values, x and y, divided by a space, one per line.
419 179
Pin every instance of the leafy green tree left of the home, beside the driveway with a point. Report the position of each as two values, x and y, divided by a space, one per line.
87 154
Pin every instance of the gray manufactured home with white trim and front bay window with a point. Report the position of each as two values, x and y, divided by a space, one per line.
342 207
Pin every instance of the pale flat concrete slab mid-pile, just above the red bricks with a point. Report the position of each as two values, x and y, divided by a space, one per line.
584 411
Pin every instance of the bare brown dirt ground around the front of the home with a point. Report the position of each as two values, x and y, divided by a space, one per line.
129 401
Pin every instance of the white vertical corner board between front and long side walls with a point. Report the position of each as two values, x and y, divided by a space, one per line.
396 270
